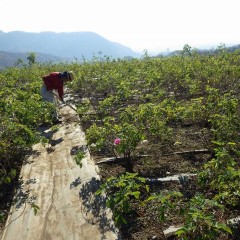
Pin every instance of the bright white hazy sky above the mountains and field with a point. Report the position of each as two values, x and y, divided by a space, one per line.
153 25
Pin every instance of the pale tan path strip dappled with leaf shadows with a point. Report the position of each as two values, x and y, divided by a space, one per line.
61 189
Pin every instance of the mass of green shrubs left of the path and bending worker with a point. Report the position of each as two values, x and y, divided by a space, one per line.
21 112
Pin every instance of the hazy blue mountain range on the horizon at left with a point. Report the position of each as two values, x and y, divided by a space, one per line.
56 46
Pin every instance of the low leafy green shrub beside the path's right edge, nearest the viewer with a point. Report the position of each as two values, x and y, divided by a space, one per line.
120 192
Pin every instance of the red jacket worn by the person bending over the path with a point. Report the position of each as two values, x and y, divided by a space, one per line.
54 82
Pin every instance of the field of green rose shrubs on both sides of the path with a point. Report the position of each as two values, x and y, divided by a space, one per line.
145 119
